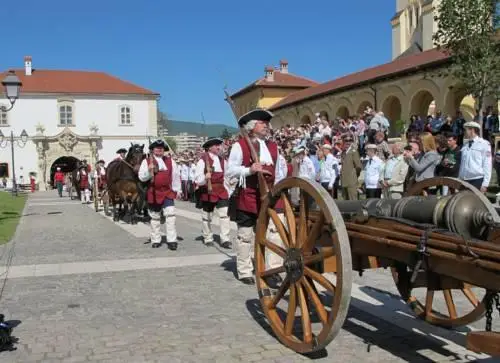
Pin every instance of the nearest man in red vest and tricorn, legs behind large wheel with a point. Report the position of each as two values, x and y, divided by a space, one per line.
241 165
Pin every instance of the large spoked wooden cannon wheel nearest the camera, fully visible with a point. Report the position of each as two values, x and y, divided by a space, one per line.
321 316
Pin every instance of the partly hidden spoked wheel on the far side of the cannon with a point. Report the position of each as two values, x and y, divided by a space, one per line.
402 273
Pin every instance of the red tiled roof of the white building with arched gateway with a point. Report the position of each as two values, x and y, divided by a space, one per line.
75 82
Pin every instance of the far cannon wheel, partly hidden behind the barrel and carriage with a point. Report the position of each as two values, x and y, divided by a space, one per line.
440 306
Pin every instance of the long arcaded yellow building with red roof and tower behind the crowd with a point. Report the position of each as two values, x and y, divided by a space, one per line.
410 84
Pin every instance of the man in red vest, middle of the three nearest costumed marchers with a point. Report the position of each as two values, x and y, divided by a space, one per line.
211 167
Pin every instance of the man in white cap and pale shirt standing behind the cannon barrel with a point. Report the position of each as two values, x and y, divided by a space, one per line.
476 163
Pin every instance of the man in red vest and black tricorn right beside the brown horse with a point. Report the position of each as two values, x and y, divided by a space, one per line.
164 187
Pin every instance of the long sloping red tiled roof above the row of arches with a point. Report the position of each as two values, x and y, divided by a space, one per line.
398 66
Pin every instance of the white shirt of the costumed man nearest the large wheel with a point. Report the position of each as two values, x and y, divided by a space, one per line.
235 169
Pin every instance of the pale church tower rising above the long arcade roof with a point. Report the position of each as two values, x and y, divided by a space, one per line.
413 26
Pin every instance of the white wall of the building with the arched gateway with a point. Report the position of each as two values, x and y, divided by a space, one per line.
102 111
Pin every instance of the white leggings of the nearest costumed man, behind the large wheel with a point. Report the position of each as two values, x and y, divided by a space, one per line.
245 249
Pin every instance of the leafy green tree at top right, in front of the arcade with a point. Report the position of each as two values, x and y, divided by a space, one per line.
467 30
